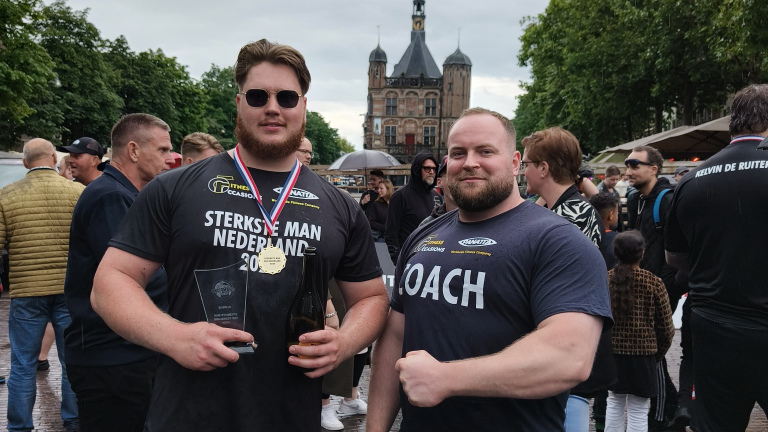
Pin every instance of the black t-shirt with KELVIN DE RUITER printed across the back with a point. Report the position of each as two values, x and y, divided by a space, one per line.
719 217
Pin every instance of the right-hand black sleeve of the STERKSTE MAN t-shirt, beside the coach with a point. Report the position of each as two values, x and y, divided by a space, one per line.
360 262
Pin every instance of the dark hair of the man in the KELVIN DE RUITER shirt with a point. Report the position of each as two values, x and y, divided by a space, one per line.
749 112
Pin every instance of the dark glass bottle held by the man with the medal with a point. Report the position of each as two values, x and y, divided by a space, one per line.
307 313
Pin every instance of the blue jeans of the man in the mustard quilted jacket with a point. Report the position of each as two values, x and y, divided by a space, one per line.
27 320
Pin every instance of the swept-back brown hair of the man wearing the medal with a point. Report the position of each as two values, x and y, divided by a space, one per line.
265 51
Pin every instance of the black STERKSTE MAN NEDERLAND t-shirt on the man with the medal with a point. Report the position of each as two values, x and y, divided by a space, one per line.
202 217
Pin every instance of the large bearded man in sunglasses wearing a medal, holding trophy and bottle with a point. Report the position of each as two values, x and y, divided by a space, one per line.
248 213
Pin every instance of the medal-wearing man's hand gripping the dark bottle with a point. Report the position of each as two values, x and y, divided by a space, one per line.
323 354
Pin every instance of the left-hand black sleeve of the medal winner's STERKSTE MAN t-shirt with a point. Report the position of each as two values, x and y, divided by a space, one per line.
146 229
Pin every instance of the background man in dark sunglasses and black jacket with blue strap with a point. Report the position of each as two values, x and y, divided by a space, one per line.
643 168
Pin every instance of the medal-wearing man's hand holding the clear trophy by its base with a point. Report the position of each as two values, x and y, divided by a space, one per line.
200 346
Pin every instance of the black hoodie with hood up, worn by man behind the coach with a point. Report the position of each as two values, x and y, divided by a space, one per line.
410 205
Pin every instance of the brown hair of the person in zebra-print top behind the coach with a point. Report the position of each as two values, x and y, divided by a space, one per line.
560 149
